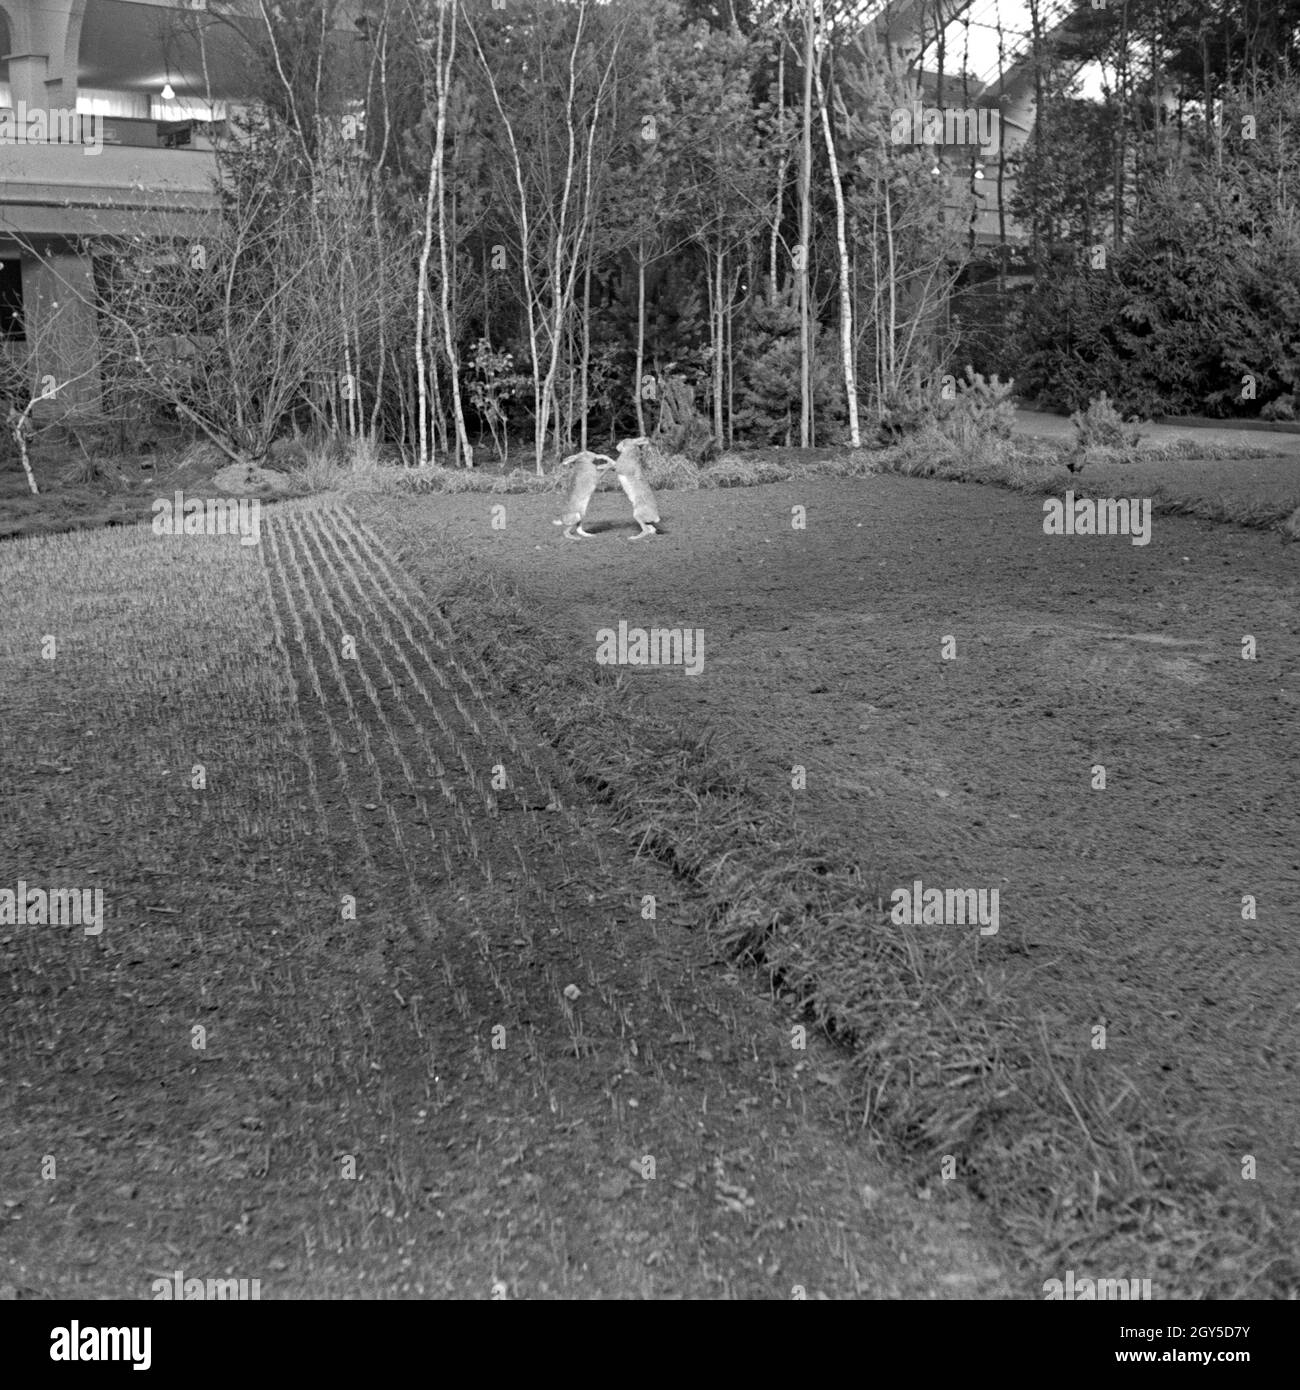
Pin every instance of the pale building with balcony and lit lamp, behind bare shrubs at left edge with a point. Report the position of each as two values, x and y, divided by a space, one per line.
106 111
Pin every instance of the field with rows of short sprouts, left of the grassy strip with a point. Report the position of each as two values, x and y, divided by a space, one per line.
364 1022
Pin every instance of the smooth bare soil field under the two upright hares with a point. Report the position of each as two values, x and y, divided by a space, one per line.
1120 907
